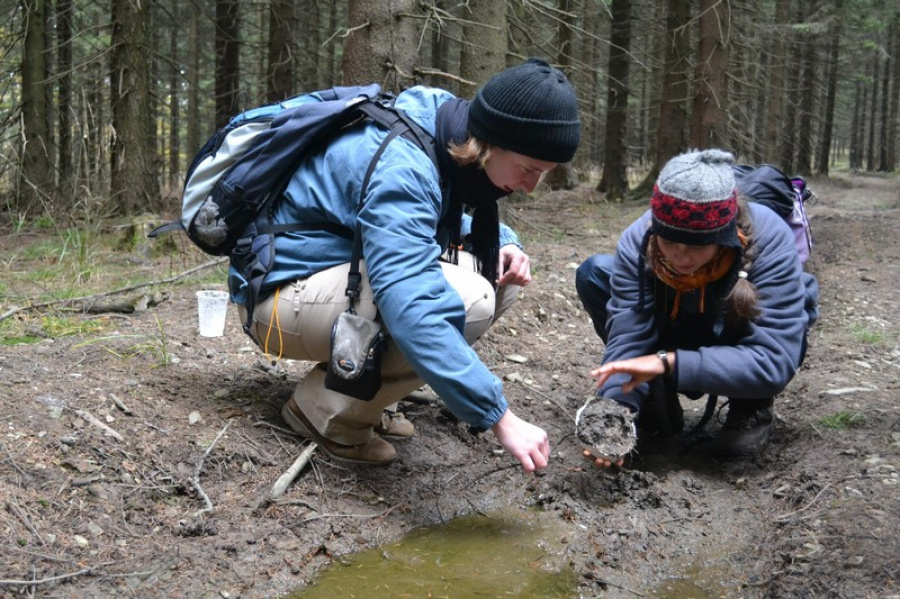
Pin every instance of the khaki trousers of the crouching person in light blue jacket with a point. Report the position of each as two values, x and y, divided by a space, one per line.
295 323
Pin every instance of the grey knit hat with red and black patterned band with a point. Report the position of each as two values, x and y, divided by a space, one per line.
695 199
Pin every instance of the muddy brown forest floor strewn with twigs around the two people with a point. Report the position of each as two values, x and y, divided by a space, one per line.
121 435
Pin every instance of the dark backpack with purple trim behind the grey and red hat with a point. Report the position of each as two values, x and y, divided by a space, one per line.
769 186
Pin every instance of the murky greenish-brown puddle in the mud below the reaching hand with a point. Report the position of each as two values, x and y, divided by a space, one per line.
502 554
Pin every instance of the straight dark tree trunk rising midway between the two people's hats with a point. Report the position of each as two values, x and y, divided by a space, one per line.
614 181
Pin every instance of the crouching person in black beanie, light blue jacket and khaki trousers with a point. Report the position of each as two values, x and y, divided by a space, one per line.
437 276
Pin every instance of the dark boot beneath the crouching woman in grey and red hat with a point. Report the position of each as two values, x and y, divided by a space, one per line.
748 427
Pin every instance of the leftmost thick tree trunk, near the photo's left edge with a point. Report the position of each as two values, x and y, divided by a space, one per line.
36 173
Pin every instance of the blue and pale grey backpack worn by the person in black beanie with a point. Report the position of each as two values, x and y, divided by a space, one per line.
234 180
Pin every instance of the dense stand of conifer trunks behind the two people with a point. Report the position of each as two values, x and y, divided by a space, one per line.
104 104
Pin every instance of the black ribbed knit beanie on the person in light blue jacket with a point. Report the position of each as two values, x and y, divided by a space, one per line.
529 109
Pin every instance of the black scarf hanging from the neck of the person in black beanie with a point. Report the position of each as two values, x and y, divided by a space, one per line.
470 187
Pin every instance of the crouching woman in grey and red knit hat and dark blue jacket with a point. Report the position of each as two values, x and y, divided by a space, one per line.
705 295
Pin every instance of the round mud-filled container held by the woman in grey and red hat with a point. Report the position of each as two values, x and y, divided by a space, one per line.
606 428
